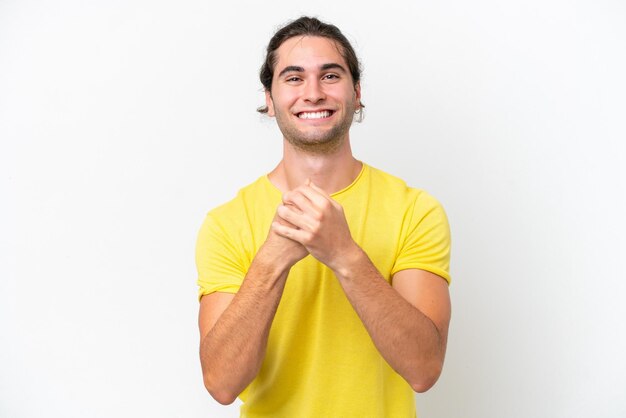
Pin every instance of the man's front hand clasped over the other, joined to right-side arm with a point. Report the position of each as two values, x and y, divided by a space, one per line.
316 221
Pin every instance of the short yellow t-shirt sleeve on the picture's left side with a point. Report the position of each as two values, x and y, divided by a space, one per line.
218 259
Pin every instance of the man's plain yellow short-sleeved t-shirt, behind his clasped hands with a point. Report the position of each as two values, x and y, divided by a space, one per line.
320 360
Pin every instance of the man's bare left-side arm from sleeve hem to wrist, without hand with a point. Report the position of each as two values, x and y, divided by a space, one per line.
234 328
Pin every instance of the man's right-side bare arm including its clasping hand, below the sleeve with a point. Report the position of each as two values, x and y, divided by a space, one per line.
408 322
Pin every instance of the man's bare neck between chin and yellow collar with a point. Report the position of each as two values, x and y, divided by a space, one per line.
329 171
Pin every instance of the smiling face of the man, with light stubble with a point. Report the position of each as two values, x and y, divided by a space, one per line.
313 95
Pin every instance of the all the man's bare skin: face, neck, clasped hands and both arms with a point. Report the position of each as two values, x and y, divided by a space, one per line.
407 321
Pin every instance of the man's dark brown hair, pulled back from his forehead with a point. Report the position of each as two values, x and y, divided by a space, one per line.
307 26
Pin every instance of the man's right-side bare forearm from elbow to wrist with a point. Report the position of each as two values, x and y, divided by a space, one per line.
406 338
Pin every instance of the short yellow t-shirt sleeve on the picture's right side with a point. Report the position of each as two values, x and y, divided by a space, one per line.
426 245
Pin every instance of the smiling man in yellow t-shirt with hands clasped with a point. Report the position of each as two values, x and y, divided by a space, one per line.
323 285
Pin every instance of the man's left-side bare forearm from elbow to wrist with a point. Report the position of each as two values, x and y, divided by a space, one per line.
232 351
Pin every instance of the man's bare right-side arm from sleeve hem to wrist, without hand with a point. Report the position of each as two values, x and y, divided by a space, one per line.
408 322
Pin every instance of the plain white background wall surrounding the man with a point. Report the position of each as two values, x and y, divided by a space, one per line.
123 122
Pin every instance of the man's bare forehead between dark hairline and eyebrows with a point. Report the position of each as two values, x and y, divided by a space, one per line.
308 52
